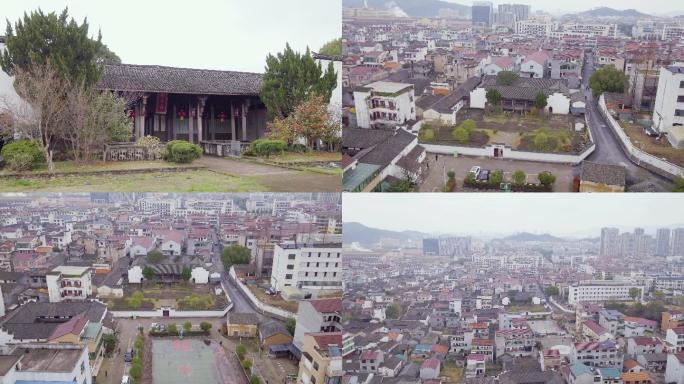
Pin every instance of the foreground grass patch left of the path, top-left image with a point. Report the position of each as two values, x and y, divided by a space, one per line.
184 181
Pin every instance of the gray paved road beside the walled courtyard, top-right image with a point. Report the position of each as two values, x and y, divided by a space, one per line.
608 149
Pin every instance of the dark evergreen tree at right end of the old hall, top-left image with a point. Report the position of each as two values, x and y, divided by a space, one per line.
291 78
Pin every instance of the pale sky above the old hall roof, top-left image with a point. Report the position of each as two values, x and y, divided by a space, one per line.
213 34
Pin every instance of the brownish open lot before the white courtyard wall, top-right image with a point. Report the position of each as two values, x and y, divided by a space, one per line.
461 165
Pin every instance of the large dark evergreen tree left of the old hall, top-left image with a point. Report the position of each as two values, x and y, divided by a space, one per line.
48 38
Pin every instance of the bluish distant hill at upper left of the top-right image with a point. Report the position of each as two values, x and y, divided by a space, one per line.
412 8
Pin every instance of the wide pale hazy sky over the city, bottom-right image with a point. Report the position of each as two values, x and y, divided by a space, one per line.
505 213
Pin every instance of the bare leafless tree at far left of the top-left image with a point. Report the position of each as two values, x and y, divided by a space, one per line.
43 114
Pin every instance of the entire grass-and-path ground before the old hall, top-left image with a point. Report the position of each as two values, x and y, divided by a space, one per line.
208 174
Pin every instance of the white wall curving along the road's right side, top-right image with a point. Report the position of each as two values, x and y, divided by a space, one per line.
636 155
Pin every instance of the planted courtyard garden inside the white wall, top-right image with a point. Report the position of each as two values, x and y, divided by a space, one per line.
525 132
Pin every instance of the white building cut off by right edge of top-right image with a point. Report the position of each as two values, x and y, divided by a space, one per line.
668 113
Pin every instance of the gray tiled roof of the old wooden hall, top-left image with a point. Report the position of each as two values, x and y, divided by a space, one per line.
154 78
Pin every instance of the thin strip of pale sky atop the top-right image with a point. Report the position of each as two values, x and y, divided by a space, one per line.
649 7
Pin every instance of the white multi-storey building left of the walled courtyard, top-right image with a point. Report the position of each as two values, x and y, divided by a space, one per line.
384 105
